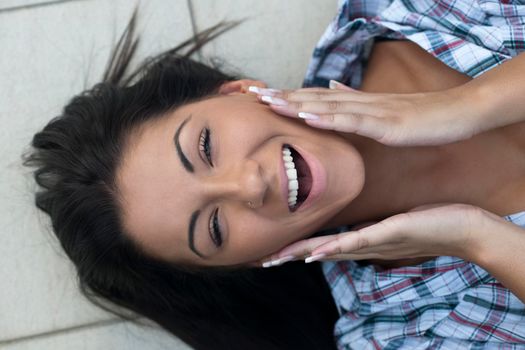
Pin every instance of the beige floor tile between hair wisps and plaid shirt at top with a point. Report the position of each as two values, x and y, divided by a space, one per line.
276 41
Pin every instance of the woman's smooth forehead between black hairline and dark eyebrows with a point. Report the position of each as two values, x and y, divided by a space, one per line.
142 180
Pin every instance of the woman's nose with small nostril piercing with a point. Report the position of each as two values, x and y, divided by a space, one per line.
242 182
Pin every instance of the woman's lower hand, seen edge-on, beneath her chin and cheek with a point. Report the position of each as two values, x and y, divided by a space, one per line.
430 230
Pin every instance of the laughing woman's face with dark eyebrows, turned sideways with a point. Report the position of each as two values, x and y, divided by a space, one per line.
165 198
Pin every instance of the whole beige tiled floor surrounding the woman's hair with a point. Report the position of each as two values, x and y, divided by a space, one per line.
51 50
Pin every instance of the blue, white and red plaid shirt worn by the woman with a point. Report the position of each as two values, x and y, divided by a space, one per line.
445 303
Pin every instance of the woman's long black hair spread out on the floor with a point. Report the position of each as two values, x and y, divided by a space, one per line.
75 157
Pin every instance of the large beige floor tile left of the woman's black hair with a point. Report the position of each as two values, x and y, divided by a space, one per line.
48 52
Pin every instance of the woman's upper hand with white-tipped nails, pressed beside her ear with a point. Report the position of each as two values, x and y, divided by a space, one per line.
416 119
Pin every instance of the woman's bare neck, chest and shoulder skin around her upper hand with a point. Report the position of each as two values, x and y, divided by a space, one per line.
485 171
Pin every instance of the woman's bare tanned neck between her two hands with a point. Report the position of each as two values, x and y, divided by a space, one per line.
398 179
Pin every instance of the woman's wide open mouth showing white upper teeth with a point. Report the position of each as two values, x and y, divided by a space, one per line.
300 181
